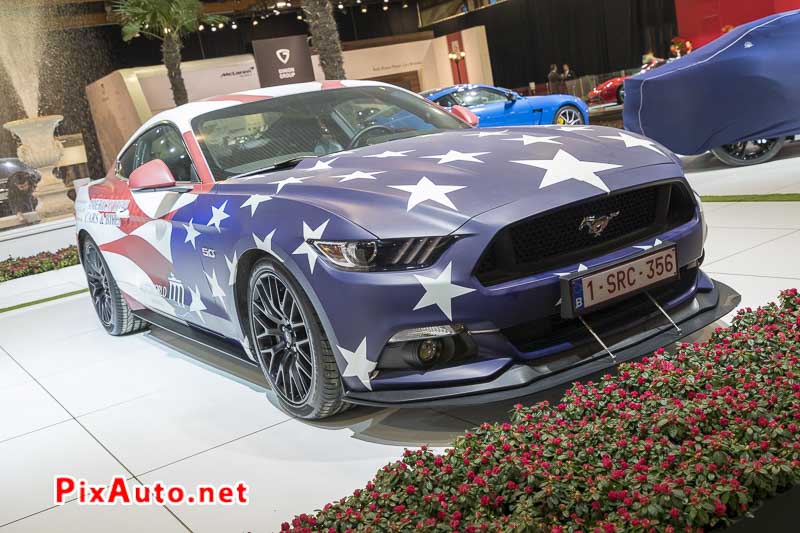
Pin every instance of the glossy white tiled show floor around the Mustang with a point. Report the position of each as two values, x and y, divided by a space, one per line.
75 401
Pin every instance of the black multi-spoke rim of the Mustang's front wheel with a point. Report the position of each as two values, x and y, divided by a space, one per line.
282 339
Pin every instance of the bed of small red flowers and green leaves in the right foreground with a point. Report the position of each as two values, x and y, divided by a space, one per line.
687 441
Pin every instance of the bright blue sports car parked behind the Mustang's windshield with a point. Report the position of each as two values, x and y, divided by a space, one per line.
501 107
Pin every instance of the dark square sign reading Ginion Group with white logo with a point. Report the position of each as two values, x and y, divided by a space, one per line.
283 60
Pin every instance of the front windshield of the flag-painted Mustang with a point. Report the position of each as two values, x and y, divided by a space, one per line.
265 134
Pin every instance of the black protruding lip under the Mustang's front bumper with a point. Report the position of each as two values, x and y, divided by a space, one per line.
711 301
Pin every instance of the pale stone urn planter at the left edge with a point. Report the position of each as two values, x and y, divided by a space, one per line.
41 150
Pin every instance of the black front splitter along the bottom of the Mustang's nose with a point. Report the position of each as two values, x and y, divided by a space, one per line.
522 379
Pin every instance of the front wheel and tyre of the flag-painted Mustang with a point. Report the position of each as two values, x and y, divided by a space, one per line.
290 344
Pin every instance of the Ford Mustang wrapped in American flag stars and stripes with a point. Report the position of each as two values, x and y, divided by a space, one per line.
363 246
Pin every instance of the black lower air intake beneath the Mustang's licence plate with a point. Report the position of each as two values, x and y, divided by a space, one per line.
609 321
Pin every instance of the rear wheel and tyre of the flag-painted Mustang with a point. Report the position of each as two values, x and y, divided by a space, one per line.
111 308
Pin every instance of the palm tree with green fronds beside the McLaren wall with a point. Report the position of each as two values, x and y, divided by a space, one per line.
169 21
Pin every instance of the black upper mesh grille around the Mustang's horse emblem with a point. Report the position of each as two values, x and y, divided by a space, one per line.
541 242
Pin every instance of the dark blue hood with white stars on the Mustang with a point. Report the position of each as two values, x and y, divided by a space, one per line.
382 205
